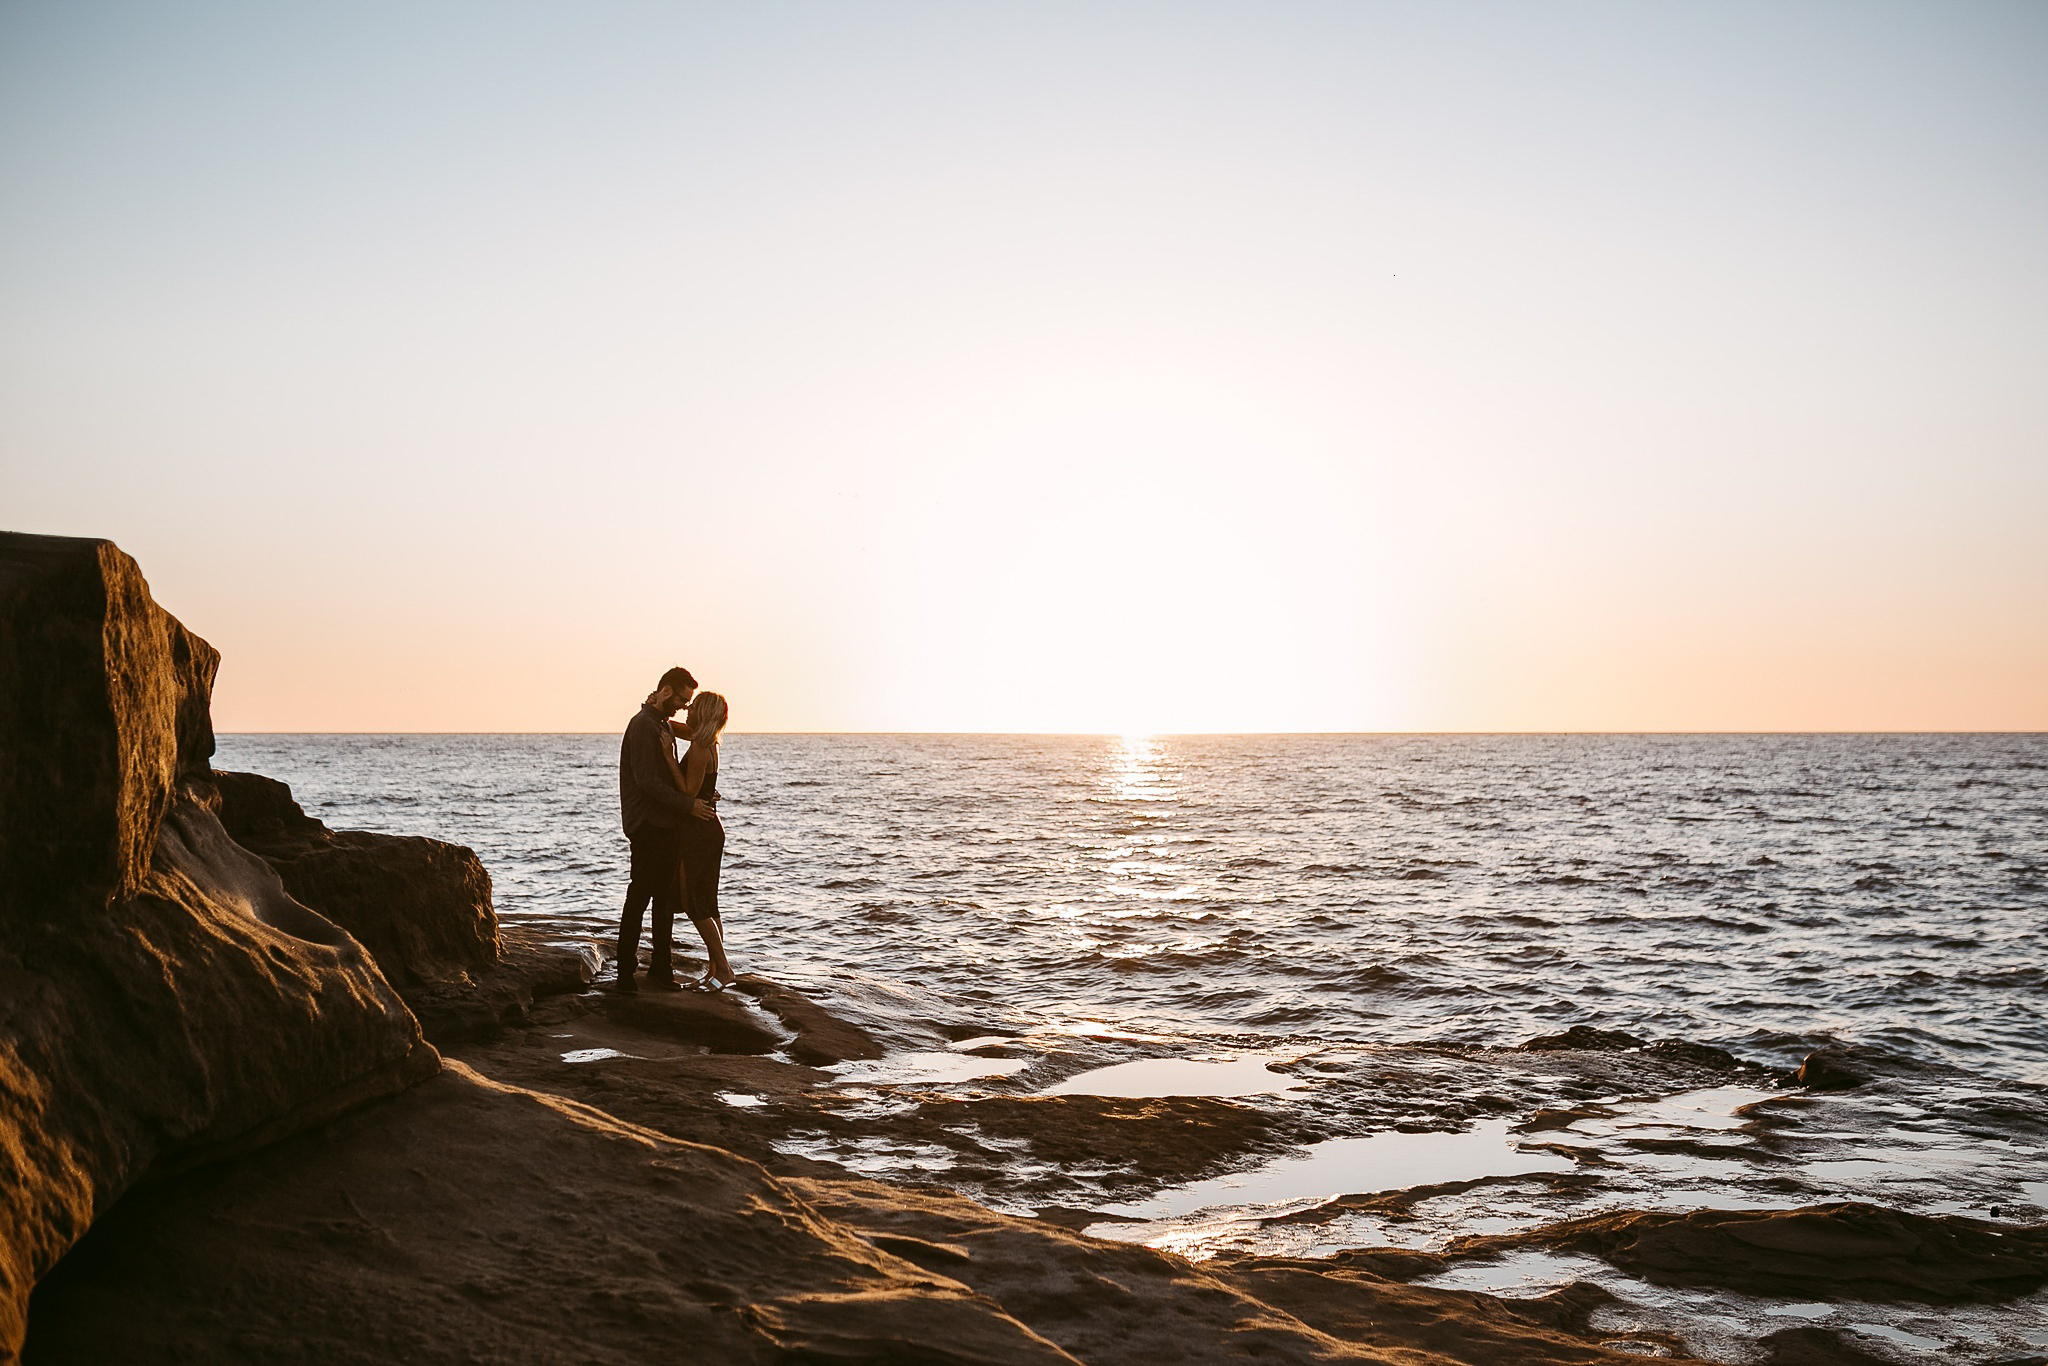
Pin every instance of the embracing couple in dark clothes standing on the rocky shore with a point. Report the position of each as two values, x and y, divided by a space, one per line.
671 810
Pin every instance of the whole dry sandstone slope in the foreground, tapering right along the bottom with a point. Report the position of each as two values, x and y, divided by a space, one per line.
472 1222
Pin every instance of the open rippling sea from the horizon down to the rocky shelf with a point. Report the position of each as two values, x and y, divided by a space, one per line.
1752 892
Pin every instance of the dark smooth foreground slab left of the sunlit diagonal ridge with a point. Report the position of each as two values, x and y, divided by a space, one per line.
472 1222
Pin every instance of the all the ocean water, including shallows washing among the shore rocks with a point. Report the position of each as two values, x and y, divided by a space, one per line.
1353 937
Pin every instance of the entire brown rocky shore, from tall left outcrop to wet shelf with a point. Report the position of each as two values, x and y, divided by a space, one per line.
216 1084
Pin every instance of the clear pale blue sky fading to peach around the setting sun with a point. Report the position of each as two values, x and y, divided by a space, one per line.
1048 368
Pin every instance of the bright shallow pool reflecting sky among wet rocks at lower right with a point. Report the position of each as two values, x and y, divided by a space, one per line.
1697 1150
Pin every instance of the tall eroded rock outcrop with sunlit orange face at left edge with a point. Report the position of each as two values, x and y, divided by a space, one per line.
163 998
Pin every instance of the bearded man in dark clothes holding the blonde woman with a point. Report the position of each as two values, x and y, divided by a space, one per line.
654 810
